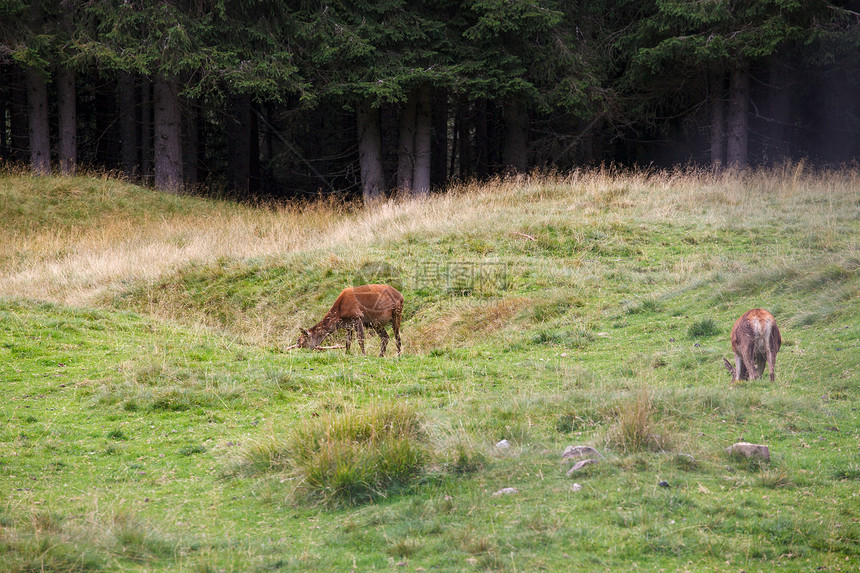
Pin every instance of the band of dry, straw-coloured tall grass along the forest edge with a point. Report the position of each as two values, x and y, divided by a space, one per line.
79 264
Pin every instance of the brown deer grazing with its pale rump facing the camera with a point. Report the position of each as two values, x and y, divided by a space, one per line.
755 339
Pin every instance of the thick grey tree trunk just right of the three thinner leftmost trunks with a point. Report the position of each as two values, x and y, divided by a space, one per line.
168 136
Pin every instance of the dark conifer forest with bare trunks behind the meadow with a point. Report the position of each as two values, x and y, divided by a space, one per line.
352 98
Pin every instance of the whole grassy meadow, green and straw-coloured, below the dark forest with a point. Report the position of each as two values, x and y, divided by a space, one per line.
153 419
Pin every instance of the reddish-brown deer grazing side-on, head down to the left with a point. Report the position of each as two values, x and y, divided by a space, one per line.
356 307
